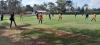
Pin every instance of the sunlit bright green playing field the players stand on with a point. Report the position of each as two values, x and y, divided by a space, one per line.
69 21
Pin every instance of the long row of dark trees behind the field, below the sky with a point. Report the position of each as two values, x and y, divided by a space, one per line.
62 6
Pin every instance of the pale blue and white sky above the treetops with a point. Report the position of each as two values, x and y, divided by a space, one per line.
91 3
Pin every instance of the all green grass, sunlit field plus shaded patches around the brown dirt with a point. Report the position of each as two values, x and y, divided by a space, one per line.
69 23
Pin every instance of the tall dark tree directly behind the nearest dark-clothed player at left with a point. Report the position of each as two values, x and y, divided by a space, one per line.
14 5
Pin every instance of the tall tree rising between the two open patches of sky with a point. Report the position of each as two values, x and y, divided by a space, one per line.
62 4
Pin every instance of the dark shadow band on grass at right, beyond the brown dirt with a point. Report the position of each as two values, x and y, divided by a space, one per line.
93 33
